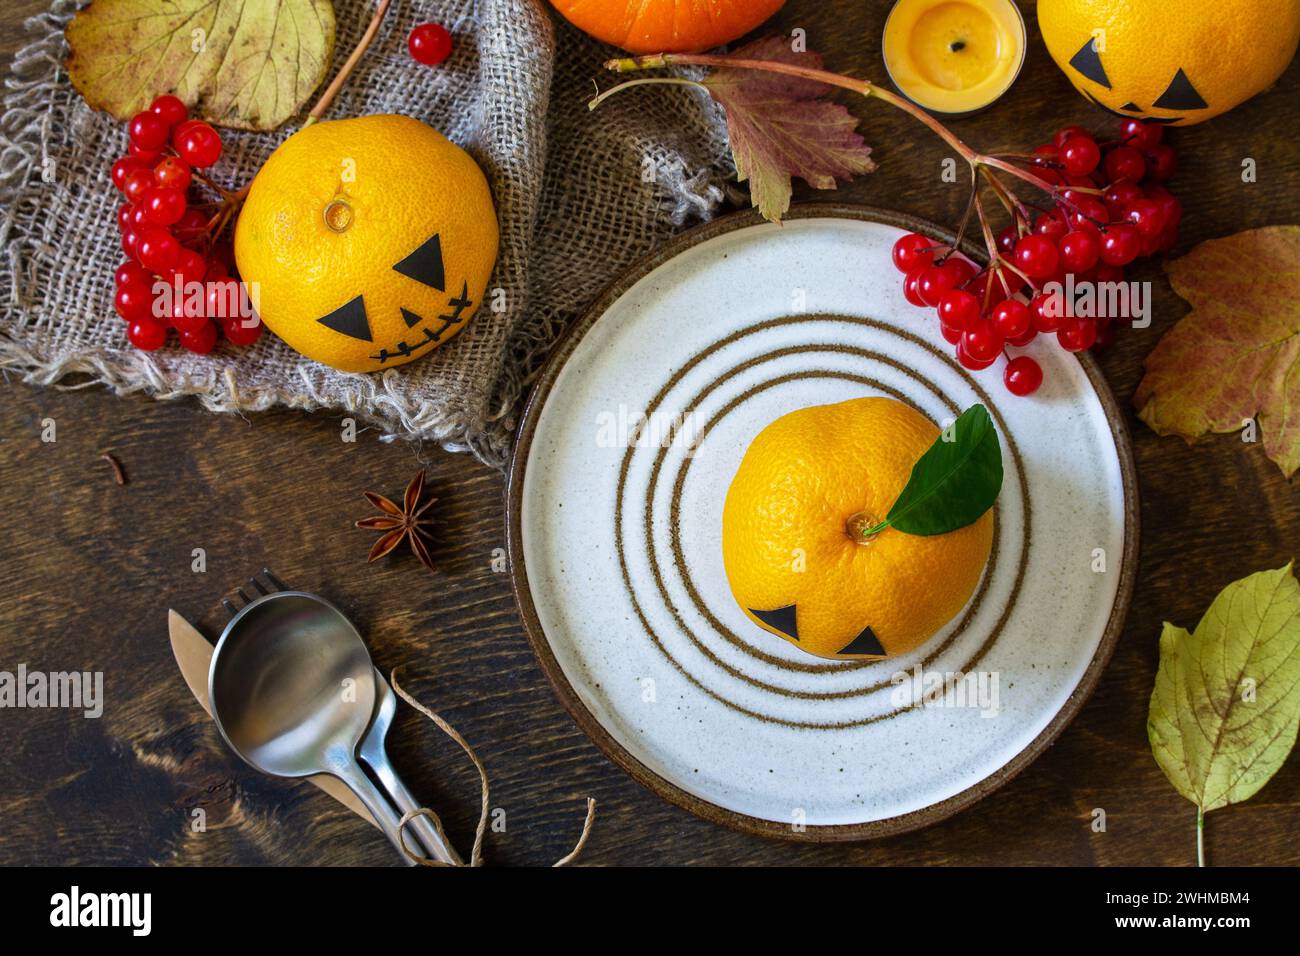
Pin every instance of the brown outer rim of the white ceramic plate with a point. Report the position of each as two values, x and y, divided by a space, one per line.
587 721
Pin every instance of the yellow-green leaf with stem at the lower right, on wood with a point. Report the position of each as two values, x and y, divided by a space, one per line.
1227 704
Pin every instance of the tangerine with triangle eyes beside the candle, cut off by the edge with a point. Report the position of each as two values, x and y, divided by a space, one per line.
1171 63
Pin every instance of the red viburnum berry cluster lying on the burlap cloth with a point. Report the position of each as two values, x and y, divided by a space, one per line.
171 243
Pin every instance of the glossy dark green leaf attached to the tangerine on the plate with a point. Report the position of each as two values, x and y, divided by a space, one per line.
956 482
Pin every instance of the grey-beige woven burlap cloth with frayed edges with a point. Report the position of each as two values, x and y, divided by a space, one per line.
579 196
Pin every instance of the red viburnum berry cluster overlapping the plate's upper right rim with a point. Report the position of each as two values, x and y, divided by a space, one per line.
1111 209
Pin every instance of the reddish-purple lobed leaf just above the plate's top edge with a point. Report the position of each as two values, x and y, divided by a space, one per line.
781 127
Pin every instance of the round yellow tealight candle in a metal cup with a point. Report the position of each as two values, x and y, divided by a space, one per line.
954 57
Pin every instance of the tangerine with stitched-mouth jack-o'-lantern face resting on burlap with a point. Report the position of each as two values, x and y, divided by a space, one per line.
367 243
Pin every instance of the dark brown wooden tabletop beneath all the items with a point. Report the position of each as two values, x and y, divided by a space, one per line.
89 570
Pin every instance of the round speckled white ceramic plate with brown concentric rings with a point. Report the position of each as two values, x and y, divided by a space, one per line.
616 538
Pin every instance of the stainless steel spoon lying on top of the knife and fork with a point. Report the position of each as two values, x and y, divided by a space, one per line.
293 691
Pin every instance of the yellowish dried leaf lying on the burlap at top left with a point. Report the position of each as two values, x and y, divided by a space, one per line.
249 64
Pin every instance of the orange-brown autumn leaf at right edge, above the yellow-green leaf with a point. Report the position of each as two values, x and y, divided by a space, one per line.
1237 354
